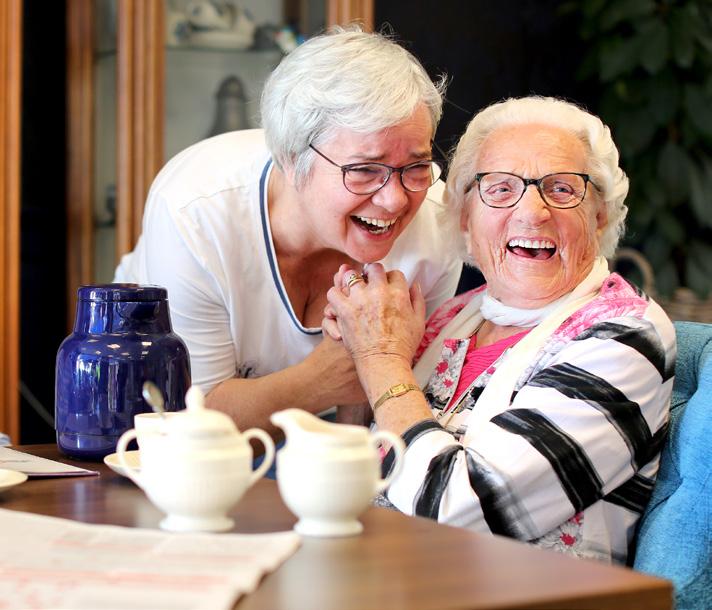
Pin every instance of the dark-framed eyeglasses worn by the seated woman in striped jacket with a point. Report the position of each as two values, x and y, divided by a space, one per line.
562 190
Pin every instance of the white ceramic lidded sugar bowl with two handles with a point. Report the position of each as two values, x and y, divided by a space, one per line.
197 466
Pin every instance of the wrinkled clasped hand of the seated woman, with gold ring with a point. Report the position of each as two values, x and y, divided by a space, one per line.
379 317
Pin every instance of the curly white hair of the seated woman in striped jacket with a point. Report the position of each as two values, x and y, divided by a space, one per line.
602 162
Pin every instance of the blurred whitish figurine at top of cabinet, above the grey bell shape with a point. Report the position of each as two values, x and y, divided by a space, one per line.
220 23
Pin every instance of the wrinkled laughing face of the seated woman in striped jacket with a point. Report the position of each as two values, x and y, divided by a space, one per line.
528 277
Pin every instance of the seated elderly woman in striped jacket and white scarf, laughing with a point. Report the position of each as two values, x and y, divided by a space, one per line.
538 402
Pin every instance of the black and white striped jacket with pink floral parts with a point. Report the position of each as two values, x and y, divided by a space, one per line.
571 462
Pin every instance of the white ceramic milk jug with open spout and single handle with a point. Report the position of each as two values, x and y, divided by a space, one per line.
328 473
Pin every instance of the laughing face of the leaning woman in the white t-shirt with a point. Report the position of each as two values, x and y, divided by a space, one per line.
364 227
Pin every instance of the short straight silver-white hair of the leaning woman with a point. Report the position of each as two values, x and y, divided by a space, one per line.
346 78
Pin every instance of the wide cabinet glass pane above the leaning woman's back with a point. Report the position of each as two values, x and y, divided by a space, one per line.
218 56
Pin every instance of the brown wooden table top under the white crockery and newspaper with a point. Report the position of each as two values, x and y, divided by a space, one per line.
398 561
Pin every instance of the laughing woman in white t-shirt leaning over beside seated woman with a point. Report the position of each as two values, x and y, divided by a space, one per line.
247 229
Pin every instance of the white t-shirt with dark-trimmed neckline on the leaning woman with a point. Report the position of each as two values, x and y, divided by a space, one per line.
206 238
